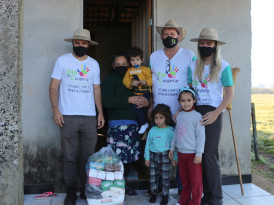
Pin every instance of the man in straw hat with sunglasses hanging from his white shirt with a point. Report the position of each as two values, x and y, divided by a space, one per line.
169 68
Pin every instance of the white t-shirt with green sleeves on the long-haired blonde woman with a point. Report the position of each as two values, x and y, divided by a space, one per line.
207 92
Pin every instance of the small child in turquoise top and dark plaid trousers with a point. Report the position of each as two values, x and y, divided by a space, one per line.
157 150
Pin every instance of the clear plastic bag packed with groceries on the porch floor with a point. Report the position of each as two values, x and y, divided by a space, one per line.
104 175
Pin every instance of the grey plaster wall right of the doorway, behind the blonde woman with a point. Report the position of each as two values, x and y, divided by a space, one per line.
233 21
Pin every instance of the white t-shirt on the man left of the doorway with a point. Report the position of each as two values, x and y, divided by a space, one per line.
76 84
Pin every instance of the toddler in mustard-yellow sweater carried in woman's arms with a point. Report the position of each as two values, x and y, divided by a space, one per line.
139 79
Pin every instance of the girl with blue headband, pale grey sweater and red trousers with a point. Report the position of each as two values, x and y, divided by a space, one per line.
189 140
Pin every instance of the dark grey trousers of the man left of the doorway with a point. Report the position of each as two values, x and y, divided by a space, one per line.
77 132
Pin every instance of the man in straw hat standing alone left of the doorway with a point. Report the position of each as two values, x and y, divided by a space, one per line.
79 79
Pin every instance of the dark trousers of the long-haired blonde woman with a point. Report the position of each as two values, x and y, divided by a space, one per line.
212 179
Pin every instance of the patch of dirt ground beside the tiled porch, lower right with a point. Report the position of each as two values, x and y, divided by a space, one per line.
263 174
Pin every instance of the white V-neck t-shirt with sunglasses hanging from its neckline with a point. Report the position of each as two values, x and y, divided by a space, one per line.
169 75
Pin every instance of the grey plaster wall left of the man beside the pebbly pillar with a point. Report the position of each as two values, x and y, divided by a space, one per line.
46 25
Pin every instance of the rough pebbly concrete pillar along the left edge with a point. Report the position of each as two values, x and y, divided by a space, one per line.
11 150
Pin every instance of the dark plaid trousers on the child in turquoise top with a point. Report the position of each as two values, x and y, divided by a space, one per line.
159 165
